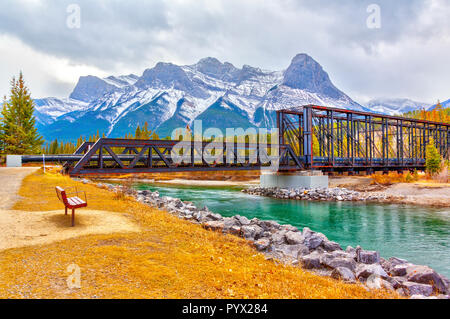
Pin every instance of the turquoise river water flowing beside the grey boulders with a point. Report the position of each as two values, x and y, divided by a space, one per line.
419 234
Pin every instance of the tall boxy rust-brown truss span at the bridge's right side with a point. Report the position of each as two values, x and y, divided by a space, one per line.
331 139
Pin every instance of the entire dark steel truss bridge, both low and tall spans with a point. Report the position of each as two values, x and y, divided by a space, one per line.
310 137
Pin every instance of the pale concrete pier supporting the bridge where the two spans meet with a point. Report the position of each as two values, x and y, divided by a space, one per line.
303 179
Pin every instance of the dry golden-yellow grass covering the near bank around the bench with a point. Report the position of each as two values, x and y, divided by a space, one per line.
170 258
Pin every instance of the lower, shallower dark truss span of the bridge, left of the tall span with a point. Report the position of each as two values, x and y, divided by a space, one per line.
122 156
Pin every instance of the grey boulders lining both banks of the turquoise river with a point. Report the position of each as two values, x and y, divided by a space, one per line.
308 249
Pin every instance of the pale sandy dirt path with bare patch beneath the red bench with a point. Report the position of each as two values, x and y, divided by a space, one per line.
23 228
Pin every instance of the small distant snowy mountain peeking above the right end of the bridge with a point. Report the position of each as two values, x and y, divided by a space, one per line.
396 106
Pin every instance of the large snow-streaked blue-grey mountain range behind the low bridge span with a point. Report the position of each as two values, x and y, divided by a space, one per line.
169 96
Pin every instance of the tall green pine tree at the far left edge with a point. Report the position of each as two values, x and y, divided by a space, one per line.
18 133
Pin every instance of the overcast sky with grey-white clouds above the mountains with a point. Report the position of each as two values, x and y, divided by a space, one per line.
408 56
